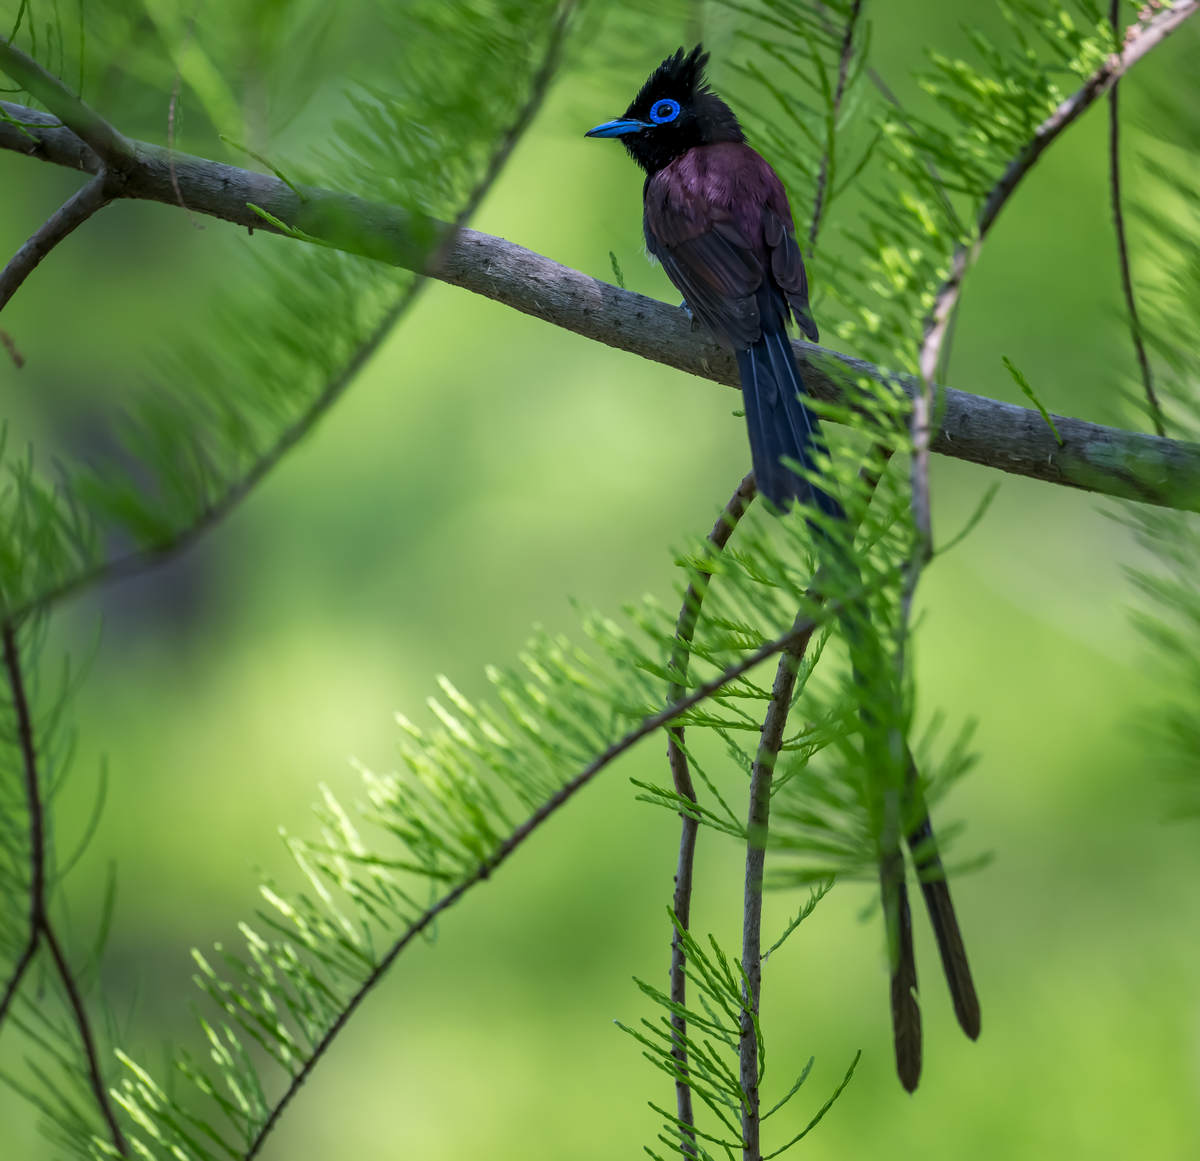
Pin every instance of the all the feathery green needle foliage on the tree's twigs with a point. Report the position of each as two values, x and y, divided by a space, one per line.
296 327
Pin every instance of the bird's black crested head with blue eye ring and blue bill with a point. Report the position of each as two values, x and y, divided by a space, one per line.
675 111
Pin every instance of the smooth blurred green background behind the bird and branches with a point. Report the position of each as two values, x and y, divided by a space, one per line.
485 468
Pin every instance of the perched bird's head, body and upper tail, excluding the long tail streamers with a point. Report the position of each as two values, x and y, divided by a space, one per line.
718 220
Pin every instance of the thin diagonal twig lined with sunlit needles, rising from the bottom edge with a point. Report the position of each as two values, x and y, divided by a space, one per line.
795 637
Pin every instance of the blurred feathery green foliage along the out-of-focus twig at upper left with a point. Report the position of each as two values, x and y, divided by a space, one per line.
296 322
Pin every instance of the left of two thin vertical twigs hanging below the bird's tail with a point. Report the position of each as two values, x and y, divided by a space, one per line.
689 826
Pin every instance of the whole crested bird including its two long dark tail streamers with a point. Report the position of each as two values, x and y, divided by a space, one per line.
718 220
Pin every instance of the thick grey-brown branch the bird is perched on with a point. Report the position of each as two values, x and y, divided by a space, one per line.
1096 459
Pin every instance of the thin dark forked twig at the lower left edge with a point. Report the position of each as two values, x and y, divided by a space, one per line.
41 929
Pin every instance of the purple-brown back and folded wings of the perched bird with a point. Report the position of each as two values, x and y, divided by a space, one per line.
718 220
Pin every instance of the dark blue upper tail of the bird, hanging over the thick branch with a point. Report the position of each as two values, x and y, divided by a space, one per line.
782 425
